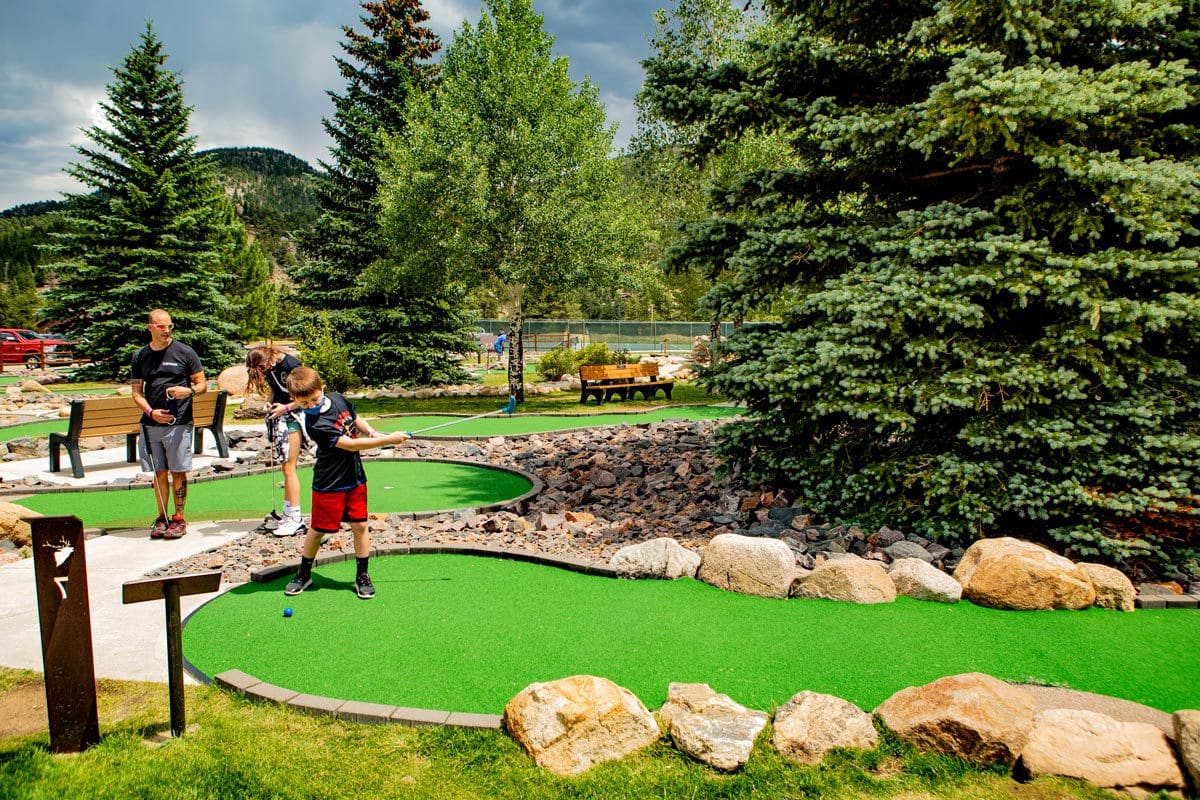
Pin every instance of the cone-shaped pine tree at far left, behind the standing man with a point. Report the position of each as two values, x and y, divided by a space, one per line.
151 233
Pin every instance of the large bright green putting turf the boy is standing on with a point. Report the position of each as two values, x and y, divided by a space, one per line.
467 634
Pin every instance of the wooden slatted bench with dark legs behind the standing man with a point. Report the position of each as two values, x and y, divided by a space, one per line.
107 417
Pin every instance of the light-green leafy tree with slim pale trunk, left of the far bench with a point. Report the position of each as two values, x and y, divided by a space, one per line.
505 179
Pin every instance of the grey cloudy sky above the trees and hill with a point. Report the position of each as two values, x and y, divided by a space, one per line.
255 71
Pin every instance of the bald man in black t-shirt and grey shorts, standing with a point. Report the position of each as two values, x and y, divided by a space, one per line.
166 376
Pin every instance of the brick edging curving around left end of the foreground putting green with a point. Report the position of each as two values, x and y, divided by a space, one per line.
259 691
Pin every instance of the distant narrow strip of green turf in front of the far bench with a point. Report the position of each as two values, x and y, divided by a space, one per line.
502 425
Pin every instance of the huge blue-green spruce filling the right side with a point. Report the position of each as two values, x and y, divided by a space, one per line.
987 266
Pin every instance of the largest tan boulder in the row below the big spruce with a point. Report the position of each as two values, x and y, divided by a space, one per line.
1012 574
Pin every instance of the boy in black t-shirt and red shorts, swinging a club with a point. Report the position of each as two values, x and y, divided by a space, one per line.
339 482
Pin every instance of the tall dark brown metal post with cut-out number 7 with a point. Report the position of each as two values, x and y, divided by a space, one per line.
61 573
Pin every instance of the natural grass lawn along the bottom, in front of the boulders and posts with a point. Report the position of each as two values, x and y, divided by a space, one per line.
266 753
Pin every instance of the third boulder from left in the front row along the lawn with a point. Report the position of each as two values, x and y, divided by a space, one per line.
811 725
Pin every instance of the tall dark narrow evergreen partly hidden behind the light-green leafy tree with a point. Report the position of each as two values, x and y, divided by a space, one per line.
405 334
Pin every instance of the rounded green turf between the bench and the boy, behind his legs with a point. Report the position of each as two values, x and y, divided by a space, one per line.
394 486
